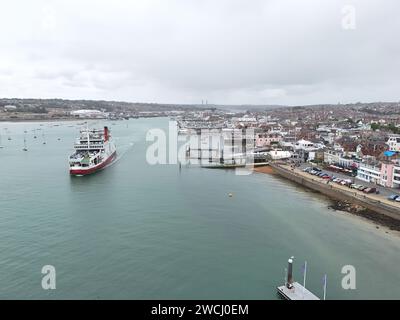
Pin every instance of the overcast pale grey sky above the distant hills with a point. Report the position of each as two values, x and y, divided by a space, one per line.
226 51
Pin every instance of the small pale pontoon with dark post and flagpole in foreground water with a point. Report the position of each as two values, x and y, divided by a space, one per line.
293 290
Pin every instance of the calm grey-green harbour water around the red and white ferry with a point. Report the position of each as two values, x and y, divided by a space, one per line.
137 231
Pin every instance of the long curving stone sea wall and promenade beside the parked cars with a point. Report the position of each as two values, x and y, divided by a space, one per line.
338 194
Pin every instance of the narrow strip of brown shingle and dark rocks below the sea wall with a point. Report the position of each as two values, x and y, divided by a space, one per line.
380 221
